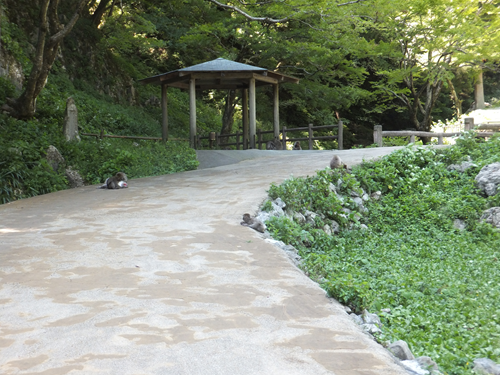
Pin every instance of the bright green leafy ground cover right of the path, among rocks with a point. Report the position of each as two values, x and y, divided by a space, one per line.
440 283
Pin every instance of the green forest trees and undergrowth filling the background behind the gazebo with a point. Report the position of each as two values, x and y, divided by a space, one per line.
400 64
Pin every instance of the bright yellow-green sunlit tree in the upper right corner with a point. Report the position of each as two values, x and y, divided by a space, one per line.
435 38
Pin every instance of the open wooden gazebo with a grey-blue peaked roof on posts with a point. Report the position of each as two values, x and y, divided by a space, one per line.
221 74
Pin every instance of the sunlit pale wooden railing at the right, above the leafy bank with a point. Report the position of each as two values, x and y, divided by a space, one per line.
378 133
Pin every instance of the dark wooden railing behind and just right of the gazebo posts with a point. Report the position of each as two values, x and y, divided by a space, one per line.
222 140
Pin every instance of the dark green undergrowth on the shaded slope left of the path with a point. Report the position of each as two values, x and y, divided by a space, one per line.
25 172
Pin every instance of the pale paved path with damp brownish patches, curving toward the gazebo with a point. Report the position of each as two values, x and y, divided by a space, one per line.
160 278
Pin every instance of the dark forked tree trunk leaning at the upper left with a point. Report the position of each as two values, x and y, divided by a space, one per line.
45 55
